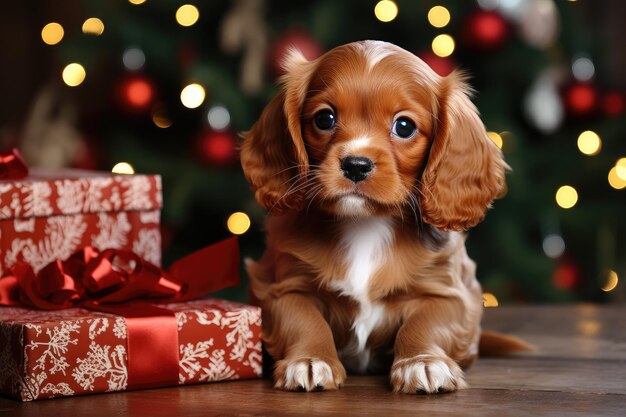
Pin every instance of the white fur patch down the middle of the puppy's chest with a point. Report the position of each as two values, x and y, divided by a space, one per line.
367 244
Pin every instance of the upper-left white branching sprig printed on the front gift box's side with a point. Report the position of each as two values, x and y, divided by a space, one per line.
56 347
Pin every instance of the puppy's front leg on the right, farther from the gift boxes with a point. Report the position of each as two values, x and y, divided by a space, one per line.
424 346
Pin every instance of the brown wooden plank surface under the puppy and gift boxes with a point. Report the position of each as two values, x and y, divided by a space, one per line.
579 370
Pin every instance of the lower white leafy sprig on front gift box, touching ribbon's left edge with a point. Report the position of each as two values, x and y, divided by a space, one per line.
101 362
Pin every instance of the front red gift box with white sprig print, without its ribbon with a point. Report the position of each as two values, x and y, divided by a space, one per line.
74 351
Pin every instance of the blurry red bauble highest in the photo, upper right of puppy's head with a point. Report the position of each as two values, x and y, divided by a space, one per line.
485 30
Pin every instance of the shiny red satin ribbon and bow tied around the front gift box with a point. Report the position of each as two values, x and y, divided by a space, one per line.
120 282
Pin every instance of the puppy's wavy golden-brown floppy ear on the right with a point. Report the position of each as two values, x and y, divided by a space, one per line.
465 169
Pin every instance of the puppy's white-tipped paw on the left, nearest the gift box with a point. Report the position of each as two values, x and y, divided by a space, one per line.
308 374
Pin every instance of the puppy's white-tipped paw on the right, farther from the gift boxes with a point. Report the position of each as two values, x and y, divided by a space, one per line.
426 374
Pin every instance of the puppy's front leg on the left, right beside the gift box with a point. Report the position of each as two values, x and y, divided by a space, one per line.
301 341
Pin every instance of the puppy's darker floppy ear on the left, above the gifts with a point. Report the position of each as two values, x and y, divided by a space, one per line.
273 155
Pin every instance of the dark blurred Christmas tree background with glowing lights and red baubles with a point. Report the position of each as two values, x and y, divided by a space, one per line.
165 86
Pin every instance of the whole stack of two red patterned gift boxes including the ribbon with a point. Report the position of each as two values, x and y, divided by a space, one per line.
47 218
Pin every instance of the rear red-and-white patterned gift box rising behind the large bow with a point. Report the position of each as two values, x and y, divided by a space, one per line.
49 215
